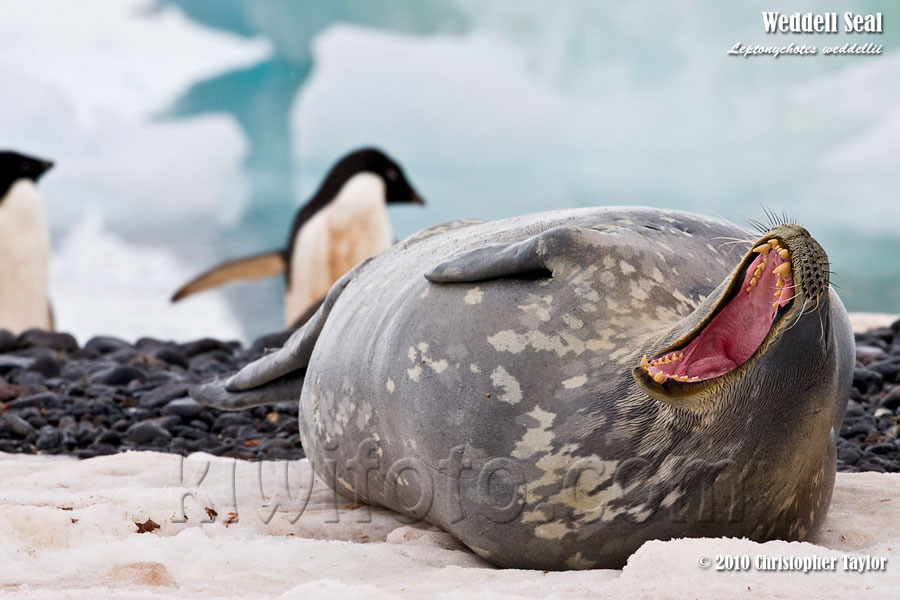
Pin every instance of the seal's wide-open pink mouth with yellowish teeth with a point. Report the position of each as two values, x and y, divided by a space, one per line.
758 297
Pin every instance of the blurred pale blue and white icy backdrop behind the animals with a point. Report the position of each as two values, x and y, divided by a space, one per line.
177 120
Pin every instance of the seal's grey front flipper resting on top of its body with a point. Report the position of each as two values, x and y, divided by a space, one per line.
538 255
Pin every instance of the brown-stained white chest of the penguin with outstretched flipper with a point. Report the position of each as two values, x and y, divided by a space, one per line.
350 229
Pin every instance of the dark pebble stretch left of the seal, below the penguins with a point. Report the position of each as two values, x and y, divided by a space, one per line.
108 396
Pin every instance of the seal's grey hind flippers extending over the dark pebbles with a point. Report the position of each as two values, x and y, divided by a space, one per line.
278 376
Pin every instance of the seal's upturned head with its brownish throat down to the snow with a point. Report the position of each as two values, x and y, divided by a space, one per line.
760 373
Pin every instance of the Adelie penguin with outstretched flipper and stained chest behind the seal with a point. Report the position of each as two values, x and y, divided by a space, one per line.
344 223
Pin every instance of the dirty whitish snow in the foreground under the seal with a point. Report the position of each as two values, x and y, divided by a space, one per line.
68 526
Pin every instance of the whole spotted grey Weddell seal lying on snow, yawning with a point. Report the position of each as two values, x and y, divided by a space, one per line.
556 389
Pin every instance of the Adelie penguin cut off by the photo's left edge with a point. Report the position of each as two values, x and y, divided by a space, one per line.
24 244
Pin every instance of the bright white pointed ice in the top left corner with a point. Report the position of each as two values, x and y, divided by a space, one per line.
148 55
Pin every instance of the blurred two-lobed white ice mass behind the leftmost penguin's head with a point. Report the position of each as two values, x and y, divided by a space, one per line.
85 84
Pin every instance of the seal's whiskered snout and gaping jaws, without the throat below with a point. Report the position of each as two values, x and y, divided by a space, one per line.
775 303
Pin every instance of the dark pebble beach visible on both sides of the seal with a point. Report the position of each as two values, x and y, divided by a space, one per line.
108 396
